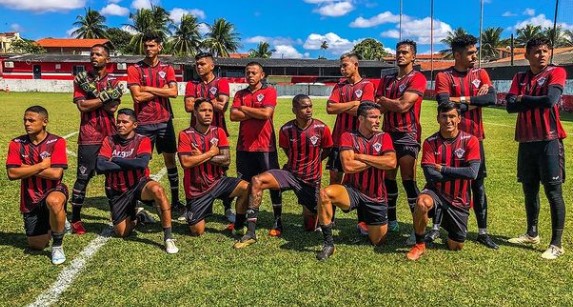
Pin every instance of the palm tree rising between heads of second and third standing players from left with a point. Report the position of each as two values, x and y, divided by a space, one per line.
187 38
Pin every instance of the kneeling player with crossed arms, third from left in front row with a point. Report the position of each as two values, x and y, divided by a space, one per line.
204 154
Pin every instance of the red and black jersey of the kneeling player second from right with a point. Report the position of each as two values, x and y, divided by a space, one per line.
371 180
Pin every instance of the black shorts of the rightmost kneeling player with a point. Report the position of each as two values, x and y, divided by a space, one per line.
454 220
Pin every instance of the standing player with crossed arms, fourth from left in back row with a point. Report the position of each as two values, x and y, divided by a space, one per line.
254 107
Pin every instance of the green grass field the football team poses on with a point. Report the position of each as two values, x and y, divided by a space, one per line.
283 271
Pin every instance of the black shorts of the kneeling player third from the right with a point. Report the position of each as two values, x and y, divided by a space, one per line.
307 194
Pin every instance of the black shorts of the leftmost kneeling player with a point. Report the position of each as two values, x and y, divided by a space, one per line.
37 221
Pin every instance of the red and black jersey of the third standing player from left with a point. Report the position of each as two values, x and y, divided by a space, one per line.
210 90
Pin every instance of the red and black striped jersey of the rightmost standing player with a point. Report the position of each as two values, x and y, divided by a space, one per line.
538 124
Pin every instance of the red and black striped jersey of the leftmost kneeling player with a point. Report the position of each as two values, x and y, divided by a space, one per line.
22 151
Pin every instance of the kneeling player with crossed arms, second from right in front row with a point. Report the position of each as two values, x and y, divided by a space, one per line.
366 155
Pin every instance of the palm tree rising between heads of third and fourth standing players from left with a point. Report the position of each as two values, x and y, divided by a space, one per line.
222 38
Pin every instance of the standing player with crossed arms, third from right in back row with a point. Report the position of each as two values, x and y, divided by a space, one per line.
400 96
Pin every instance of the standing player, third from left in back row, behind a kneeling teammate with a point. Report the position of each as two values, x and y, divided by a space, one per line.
216 90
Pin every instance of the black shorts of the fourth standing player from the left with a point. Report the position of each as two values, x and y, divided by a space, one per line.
250 164
